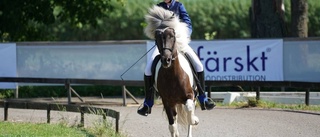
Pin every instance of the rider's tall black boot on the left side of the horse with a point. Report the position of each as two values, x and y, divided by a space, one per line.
149 96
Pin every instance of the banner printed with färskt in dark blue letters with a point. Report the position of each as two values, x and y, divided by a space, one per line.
241 60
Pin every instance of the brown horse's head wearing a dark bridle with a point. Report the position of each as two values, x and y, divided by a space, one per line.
166 43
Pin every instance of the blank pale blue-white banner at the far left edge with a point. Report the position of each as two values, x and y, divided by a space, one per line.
8 65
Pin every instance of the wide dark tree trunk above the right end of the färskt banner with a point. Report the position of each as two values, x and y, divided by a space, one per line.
267 20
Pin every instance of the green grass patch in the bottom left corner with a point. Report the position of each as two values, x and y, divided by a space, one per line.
53 130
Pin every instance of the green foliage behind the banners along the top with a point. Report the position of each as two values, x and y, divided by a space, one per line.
61 20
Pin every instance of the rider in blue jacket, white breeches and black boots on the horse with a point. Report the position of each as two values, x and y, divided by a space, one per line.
178 9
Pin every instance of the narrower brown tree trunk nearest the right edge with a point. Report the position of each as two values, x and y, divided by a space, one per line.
299 18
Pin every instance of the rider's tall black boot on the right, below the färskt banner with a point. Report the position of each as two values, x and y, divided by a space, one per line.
204 102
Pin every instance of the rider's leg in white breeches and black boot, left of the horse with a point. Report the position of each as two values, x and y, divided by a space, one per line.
148 86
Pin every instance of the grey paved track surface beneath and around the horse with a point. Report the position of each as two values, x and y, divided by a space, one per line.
219 122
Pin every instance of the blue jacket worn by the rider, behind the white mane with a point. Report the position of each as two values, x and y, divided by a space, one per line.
179 10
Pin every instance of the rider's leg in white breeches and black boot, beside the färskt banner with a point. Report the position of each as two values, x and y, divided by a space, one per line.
203 99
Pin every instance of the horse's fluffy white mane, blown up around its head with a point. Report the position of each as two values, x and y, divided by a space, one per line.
158 16
